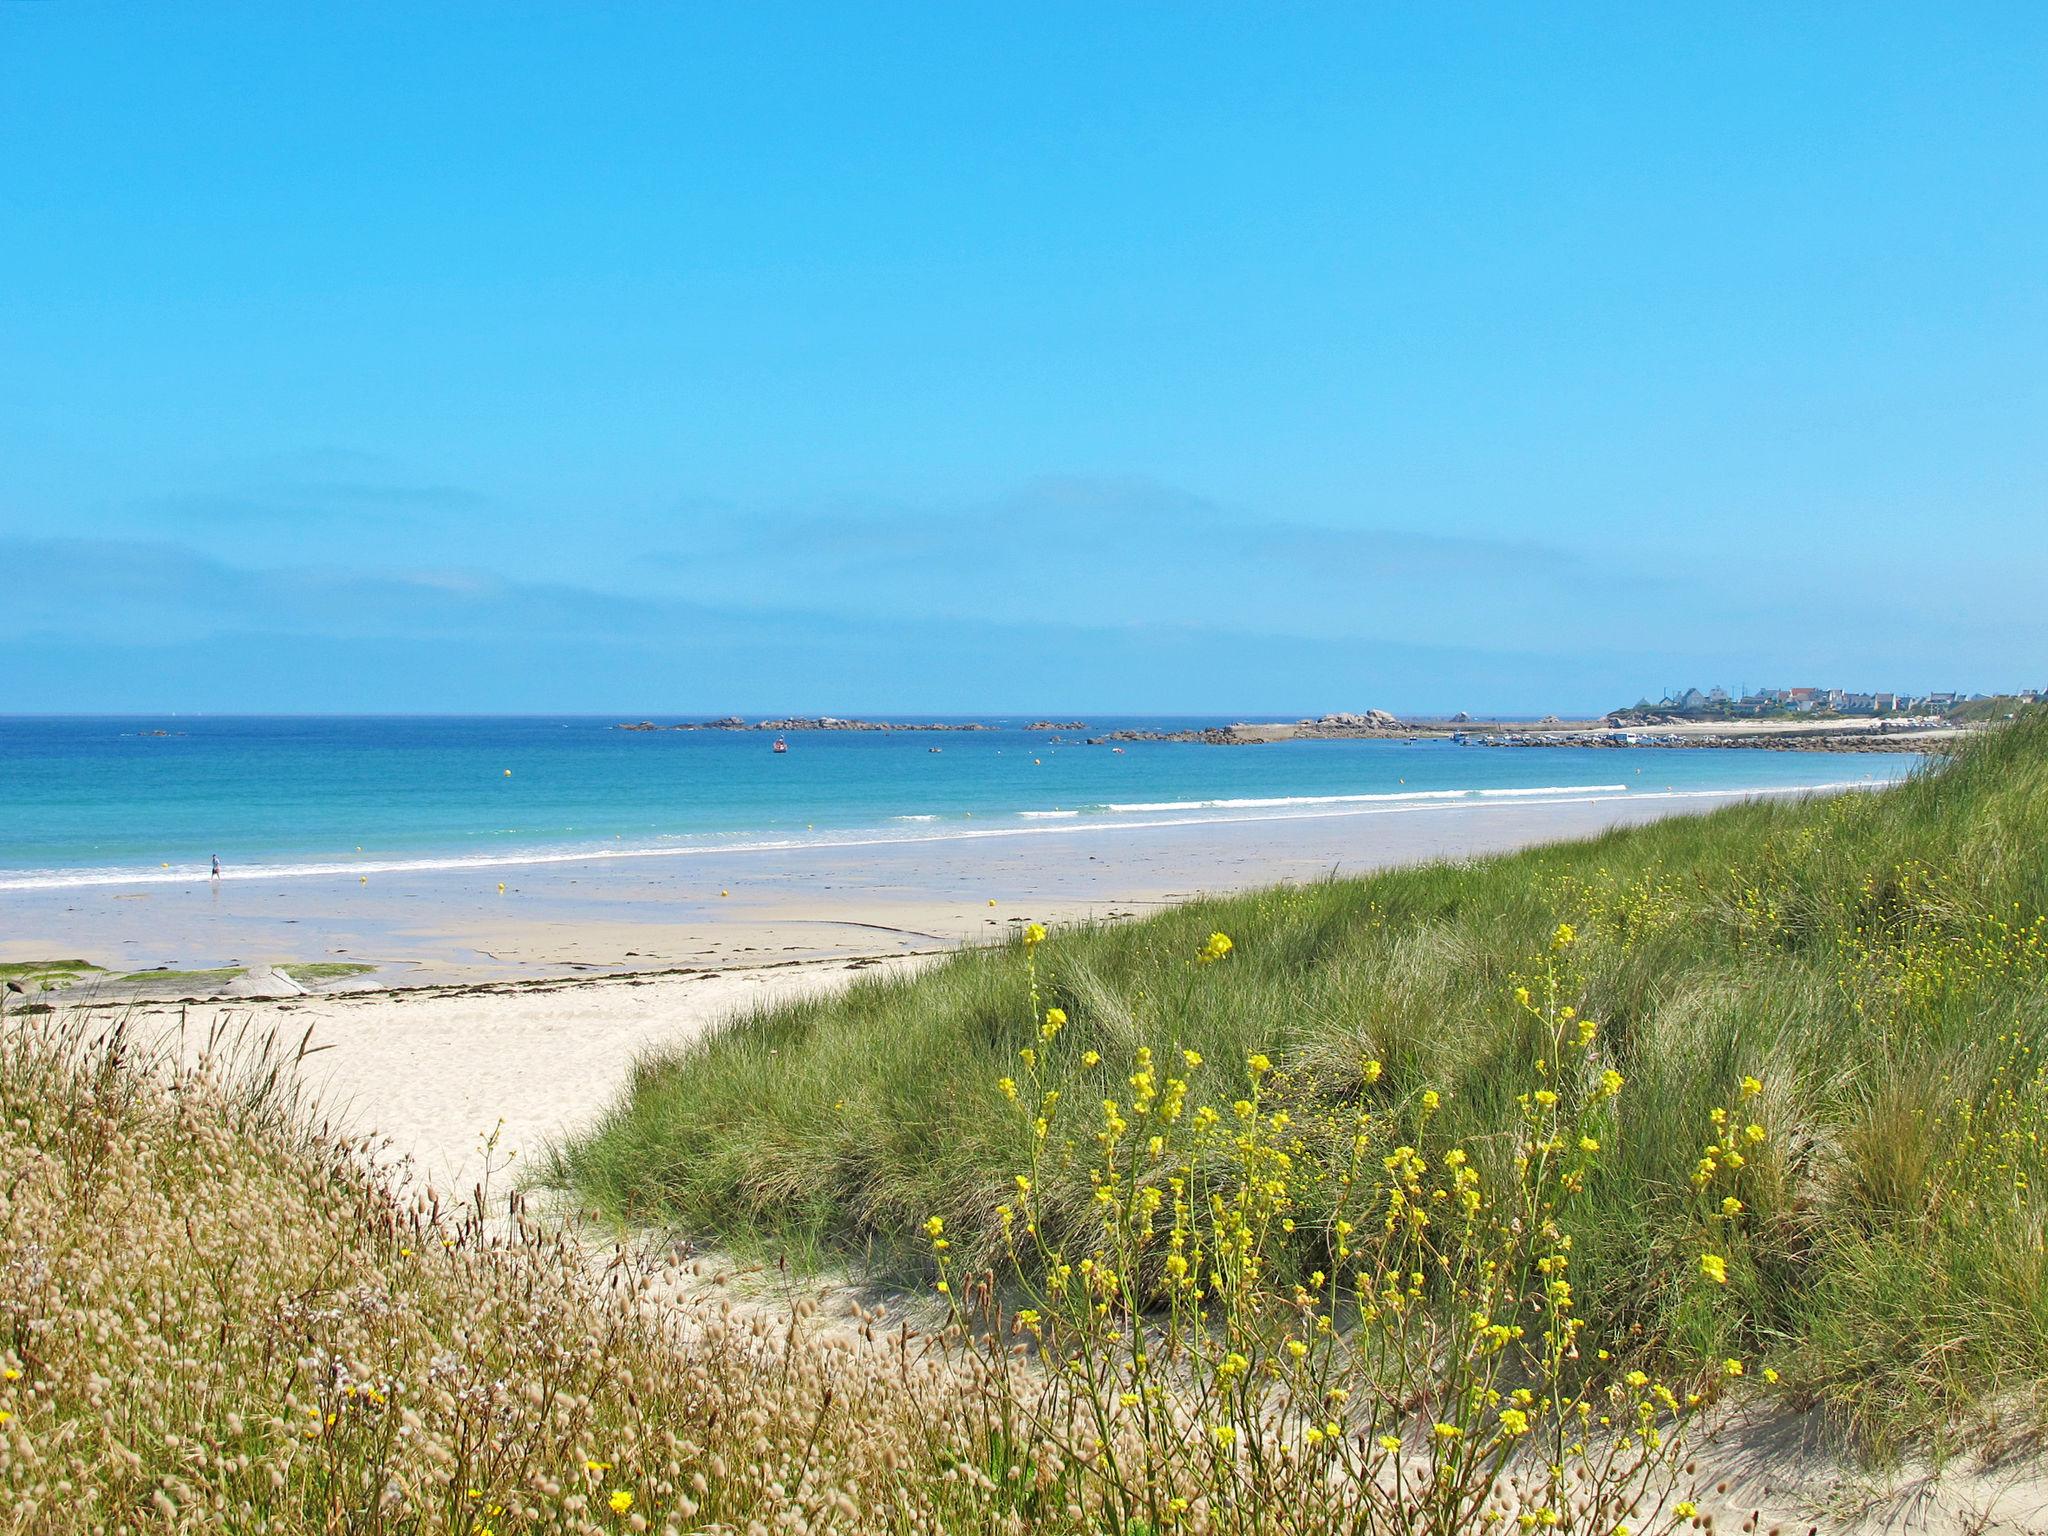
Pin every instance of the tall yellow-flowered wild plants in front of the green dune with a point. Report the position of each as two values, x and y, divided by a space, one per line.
1431 1375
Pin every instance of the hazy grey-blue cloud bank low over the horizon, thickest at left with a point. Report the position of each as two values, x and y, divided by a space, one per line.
101 624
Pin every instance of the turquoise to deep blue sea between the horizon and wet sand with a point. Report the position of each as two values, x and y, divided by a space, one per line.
91 802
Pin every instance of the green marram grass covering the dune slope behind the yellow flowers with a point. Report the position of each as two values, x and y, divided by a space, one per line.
1877 962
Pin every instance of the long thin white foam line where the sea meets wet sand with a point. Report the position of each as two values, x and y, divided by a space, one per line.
1312 812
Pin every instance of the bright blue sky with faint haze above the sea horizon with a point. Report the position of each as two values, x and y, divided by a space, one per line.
947 359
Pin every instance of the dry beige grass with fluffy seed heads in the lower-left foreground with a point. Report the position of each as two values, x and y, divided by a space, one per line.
214 1320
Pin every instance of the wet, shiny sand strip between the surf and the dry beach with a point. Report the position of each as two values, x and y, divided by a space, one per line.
716 910
